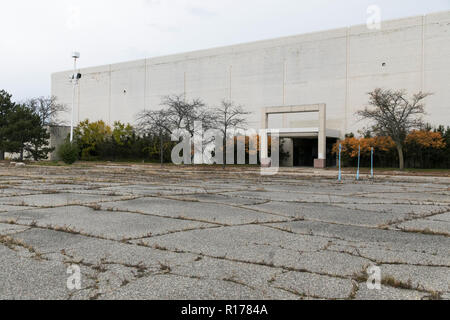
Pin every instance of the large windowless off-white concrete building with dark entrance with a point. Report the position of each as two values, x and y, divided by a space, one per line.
275 79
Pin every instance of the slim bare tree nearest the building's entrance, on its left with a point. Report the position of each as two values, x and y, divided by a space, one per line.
227 117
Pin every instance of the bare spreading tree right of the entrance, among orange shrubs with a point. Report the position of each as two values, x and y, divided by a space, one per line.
394 115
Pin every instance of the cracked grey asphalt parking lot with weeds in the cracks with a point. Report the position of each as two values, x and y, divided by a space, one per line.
145 232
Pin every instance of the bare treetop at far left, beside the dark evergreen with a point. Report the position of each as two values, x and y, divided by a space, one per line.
48 110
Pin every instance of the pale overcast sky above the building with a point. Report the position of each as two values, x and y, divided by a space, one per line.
37 37
